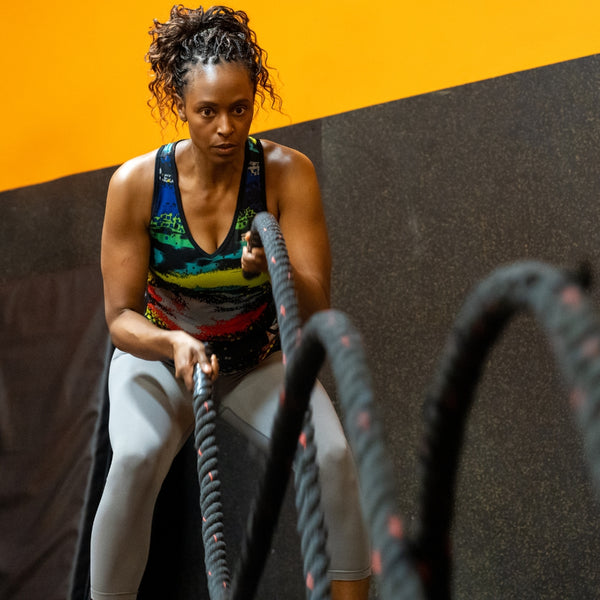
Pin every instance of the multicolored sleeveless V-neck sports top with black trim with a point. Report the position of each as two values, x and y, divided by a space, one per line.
206 294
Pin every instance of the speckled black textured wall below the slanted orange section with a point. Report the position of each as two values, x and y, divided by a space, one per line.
424 197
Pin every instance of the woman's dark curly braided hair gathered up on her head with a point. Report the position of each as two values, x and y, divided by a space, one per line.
192 36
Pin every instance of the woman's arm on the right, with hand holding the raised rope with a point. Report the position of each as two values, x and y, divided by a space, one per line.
294 198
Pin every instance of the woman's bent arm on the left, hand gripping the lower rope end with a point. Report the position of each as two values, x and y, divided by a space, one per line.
124 258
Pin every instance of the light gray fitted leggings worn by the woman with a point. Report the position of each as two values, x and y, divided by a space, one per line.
151 417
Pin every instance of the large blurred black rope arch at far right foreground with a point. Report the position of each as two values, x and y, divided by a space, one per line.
560 305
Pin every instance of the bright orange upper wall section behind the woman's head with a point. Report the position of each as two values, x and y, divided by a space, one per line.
74 79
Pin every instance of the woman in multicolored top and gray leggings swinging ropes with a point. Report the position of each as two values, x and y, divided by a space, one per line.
173 251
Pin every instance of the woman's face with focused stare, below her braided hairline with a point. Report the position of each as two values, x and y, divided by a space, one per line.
218 104
